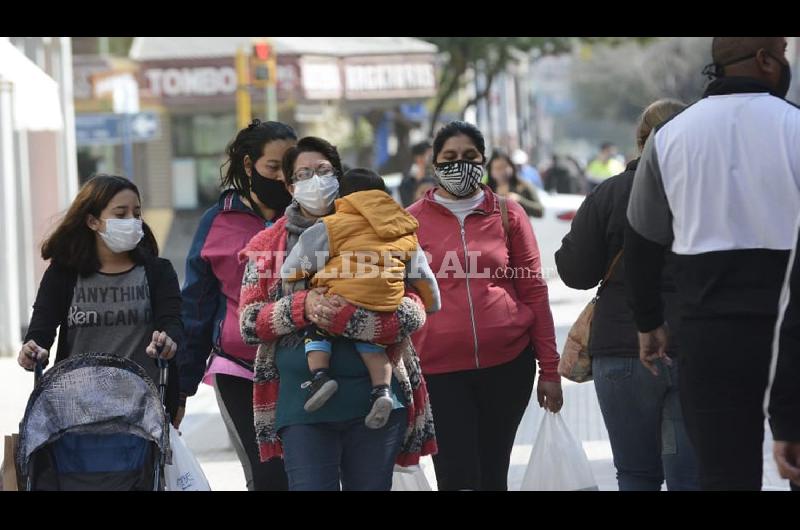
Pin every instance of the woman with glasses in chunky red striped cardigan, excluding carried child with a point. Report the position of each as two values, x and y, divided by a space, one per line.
330 447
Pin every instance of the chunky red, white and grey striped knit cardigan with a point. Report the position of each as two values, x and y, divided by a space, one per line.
265 317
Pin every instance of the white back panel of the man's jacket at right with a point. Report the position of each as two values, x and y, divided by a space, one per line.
730 166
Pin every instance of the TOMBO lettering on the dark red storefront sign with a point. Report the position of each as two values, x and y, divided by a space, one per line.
191 81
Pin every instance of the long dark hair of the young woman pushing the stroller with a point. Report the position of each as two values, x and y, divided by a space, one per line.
74 245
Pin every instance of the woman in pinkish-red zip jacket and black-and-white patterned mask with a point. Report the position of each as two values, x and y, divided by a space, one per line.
478 352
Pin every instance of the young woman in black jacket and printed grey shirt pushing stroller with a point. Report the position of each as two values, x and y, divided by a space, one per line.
106 288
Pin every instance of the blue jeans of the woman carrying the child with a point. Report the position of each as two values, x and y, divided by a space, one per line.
319 456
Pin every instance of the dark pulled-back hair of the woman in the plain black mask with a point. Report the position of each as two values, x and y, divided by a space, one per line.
250 141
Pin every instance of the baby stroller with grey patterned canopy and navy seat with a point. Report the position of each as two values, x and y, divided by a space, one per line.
95 422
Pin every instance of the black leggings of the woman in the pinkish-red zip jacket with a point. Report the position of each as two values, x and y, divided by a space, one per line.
476 414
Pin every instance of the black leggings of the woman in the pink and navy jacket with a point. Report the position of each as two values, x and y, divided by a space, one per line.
235 399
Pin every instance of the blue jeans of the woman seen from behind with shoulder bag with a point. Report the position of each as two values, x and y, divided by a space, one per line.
642 413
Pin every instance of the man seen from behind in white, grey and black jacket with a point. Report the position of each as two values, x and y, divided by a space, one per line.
719 184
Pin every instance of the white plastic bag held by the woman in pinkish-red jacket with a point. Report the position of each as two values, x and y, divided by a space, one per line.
557 461
